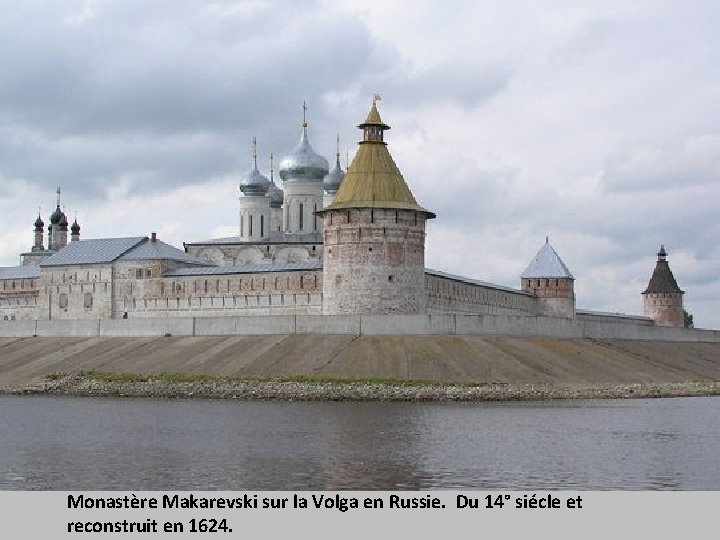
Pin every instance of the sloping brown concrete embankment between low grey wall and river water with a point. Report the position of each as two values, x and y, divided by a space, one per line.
495 367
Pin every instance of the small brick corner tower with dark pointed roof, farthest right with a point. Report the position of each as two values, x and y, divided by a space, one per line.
663 299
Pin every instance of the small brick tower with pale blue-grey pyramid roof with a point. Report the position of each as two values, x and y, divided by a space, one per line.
547 278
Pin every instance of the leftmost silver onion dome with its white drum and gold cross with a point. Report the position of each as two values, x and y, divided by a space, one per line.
254 203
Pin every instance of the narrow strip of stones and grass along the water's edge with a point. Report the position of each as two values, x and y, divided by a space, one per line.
161 386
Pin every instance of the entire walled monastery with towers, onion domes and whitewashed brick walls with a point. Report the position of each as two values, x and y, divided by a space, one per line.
328 242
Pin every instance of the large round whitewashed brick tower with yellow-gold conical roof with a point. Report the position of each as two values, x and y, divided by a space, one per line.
374 235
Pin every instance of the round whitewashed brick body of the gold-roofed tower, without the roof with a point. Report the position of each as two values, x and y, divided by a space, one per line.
374 261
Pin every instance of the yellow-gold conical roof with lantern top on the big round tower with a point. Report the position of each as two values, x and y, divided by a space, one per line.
373 180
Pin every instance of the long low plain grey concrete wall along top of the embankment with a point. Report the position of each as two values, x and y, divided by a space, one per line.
484 325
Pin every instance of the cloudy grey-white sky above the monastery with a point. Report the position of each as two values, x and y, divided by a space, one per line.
594 123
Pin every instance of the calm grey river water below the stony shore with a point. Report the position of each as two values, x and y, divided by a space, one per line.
61 443
